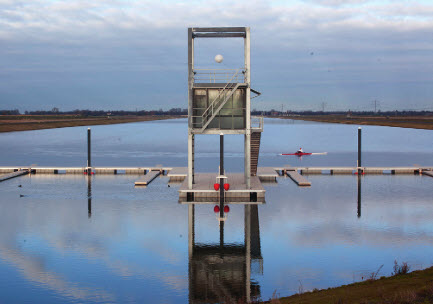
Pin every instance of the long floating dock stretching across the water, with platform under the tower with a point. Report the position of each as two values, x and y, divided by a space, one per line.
205 181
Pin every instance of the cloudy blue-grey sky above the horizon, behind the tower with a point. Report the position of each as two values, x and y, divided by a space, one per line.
132 55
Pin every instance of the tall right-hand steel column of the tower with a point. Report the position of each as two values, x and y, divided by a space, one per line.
247 53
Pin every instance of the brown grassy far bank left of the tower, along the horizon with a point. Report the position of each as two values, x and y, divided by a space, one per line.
11 123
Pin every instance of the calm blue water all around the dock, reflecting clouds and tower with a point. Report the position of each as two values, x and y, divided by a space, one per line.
71 239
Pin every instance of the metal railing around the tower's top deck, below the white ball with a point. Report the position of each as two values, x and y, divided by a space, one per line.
218 75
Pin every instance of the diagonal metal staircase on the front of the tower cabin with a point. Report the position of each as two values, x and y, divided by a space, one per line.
219 102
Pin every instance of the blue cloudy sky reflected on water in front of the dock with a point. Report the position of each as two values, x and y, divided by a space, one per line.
135 244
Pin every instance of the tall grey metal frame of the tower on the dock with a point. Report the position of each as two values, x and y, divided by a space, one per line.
219 32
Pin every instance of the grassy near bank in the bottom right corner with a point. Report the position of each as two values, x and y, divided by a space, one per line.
414 287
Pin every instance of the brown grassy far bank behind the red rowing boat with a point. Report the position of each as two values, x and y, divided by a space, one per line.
416 122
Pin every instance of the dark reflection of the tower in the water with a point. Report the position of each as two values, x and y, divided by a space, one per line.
222 272
